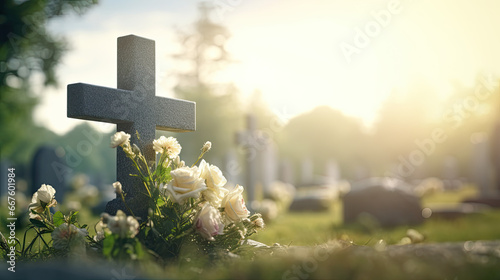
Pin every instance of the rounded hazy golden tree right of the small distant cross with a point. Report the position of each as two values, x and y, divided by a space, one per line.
325 134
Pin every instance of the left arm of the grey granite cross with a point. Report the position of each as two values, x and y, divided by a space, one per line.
96 103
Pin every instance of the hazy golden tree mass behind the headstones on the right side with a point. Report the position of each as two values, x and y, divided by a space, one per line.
408 117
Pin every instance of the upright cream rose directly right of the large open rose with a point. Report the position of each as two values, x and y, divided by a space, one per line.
215 182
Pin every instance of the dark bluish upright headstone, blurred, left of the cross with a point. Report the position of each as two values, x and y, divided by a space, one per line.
45 170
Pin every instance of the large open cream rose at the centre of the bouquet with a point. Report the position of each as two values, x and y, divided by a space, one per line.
186 183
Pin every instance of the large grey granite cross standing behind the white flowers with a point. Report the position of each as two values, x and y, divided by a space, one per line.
133 107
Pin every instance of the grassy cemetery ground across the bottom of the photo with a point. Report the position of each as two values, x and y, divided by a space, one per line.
317 245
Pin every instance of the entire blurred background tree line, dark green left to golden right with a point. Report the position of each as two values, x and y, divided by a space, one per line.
321 135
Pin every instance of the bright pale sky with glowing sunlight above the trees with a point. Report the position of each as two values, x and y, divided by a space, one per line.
300 54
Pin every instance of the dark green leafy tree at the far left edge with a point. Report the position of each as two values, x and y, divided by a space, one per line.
27 48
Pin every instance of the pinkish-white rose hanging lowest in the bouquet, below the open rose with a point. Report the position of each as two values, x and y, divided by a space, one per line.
208 222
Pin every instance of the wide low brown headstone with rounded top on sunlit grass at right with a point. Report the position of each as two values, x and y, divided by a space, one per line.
389 201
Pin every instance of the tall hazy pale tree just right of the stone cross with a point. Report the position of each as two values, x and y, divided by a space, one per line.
218 110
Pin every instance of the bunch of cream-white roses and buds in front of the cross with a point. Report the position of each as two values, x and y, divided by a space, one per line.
205 183
